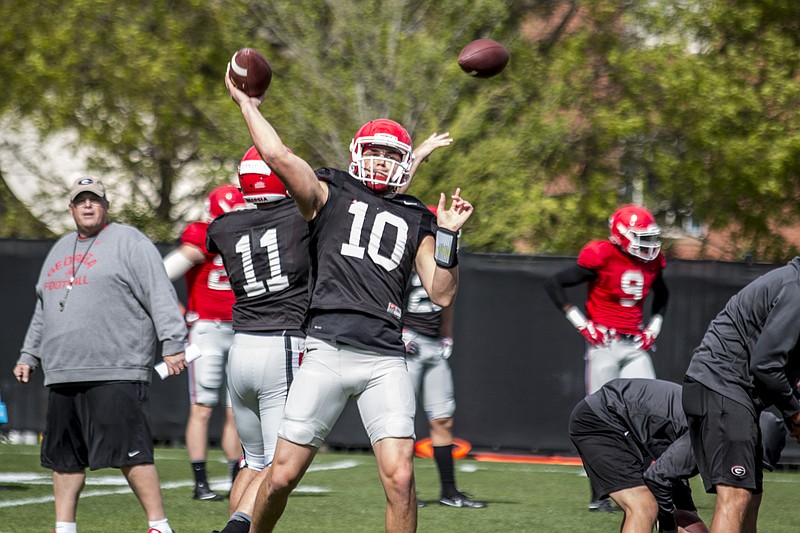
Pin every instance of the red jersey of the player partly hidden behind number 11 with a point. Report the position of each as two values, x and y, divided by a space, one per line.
210 294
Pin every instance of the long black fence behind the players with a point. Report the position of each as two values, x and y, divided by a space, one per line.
517 363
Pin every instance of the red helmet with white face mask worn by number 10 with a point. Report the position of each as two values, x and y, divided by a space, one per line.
381 155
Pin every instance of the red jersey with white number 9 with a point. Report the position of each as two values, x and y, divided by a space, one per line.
616 297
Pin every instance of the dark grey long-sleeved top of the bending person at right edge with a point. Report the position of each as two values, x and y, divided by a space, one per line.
750 351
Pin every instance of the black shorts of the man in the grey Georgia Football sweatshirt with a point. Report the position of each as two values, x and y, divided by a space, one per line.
96 425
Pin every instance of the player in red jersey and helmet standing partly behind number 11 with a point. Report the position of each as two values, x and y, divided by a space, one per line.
209 315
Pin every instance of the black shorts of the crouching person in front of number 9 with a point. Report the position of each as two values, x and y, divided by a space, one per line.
611 459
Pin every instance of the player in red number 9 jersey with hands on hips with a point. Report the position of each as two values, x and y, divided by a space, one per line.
620 272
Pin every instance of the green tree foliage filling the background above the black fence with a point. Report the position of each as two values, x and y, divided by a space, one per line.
688 107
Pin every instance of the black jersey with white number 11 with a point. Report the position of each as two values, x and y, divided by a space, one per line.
265 252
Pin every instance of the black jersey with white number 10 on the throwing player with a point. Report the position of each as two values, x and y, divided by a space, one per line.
362 249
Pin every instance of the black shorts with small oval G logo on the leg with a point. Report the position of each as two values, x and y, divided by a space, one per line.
726 439
